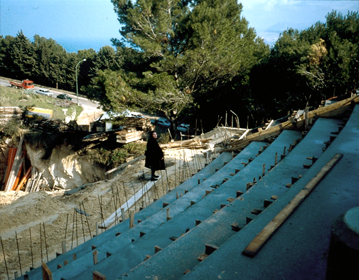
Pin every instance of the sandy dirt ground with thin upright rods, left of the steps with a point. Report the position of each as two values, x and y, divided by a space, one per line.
33 225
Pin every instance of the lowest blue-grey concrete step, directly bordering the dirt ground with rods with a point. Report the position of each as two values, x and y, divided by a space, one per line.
86 247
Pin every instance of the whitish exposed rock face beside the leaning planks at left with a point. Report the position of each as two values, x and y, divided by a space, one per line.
64 169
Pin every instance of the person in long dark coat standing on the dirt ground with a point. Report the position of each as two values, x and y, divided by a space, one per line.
154 156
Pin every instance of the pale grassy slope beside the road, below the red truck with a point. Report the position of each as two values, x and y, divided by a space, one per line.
10 97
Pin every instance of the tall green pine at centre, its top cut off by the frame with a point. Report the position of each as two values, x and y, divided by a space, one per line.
191 47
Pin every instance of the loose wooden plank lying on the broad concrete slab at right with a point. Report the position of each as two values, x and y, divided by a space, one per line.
257 243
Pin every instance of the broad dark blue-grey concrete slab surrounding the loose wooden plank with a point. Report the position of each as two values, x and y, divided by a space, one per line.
299 248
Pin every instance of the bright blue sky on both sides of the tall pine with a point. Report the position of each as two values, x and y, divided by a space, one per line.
84 24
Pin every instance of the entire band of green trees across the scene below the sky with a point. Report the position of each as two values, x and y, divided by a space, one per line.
196 63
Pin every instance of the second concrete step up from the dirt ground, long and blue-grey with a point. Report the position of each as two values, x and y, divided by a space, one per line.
195 193
